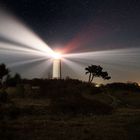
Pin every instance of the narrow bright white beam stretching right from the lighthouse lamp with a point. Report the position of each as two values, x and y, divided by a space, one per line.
119 54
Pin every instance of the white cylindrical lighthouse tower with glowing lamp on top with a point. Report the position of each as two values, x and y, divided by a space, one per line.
56 66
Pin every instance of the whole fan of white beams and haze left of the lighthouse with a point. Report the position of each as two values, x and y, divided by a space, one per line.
21 49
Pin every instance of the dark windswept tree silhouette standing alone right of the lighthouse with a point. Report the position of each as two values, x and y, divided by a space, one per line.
96 71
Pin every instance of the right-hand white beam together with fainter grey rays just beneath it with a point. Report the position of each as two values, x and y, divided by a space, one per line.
123 57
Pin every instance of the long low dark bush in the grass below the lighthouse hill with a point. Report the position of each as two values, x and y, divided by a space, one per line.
81 106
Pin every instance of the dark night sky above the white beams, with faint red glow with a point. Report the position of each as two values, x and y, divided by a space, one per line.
82 25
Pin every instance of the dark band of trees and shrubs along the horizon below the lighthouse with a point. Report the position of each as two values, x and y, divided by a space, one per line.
69 86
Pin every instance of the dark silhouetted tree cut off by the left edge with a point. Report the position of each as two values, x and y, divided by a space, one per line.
3 72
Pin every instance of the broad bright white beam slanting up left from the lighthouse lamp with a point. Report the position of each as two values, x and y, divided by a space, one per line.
12 29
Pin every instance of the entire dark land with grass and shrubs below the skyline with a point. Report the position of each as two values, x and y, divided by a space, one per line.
41 109
